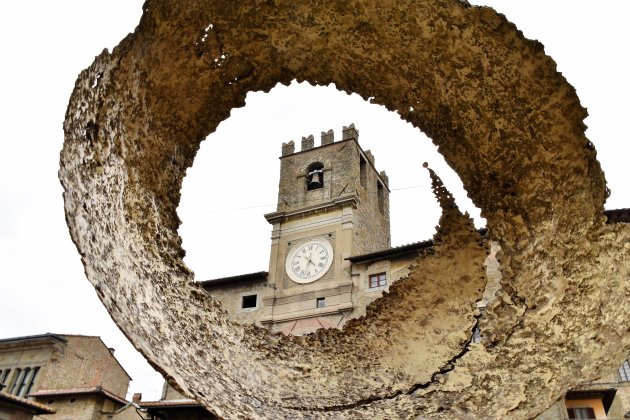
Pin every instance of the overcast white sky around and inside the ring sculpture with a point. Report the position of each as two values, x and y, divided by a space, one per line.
43 47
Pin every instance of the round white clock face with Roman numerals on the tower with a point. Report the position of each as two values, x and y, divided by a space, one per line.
309 261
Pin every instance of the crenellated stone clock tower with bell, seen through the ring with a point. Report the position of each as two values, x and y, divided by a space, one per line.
332 204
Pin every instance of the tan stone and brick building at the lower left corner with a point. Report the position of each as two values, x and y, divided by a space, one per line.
70 376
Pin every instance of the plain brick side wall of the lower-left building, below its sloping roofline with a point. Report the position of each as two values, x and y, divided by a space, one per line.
91 364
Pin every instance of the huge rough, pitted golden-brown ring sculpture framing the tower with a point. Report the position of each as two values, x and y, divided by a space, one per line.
504 119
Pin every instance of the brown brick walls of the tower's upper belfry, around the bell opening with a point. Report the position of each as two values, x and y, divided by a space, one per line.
342 178
